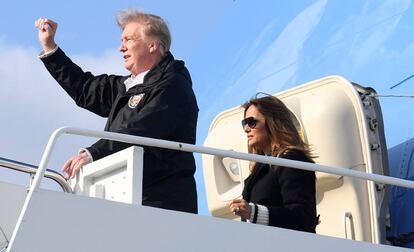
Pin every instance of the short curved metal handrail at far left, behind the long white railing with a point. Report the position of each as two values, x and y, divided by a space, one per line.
31 169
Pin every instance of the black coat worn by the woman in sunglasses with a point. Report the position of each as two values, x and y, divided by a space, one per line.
288 193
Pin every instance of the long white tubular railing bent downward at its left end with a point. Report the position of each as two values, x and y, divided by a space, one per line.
198 149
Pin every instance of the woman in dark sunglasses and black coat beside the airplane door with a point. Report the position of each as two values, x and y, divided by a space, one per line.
273 195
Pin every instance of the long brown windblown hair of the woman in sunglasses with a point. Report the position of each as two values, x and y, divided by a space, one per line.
280 126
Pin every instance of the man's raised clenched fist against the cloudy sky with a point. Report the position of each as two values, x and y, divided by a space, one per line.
47 30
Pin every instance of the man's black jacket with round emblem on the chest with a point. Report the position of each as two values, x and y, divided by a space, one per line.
167 110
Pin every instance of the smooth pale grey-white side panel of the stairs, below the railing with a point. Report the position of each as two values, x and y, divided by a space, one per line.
64 222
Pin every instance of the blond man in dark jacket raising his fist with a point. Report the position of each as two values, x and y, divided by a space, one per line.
155 101
